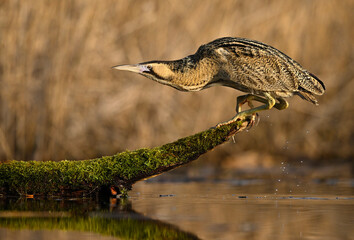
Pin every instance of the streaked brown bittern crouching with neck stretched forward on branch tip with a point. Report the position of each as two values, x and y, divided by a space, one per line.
267 74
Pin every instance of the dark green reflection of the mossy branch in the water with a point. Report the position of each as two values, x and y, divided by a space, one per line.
115 219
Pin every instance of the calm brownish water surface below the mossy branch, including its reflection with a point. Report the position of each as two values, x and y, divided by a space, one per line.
230 209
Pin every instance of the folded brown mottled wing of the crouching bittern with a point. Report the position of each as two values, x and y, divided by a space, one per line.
263 68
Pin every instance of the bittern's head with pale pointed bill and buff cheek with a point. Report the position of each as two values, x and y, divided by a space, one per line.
159 71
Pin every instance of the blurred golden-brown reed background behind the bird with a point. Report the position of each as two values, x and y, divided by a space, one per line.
60 99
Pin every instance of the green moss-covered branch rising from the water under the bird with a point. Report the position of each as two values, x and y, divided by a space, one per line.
85 177
